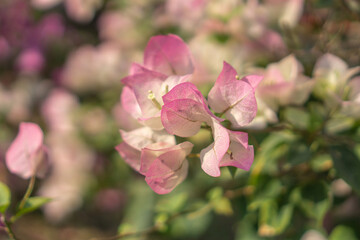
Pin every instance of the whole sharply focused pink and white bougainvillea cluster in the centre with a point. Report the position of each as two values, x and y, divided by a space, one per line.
160 95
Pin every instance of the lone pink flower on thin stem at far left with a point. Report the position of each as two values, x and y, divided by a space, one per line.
27 156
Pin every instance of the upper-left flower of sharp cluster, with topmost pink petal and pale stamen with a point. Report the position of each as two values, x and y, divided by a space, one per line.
167 62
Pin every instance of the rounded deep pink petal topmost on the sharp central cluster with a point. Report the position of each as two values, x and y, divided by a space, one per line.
168 55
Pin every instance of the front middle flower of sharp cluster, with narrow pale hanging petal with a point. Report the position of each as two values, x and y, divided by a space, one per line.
184 112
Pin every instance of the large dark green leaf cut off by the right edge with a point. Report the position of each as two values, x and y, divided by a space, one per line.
347 165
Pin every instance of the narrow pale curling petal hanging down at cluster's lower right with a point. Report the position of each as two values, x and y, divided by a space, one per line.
211 156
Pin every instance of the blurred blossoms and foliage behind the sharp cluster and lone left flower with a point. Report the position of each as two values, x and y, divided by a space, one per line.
61 62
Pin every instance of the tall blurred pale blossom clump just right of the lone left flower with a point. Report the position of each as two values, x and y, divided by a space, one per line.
71 175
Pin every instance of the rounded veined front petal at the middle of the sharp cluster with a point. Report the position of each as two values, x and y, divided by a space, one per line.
183 117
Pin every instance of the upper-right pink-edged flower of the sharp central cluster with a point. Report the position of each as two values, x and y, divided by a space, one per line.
234 98
